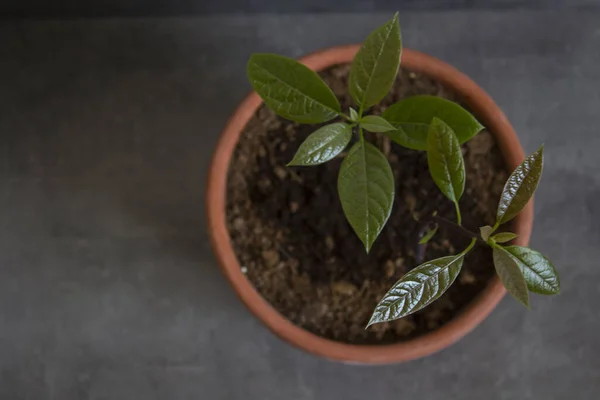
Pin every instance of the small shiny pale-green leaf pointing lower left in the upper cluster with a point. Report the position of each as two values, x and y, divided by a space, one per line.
323 144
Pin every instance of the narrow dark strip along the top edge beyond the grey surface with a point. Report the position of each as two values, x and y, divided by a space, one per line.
104 8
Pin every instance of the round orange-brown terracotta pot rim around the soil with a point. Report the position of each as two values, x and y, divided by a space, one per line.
488 114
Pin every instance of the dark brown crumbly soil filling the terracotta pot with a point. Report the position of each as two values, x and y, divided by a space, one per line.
295 245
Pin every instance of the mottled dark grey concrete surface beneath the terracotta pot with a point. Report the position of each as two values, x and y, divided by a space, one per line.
108 287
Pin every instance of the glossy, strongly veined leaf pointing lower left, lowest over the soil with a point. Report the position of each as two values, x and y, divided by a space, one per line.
417 289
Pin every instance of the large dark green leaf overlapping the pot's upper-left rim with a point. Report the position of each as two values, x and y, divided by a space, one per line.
291 89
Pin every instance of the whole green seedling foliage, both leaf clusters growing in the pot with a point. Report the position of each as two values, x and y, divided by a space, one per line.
366 183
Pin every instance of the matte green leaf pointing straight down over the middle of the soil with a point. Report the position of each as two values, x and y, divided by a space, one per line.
366 190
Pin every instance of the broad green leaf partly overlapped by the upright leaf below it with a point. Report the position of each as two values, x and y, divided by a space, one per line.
412 117
